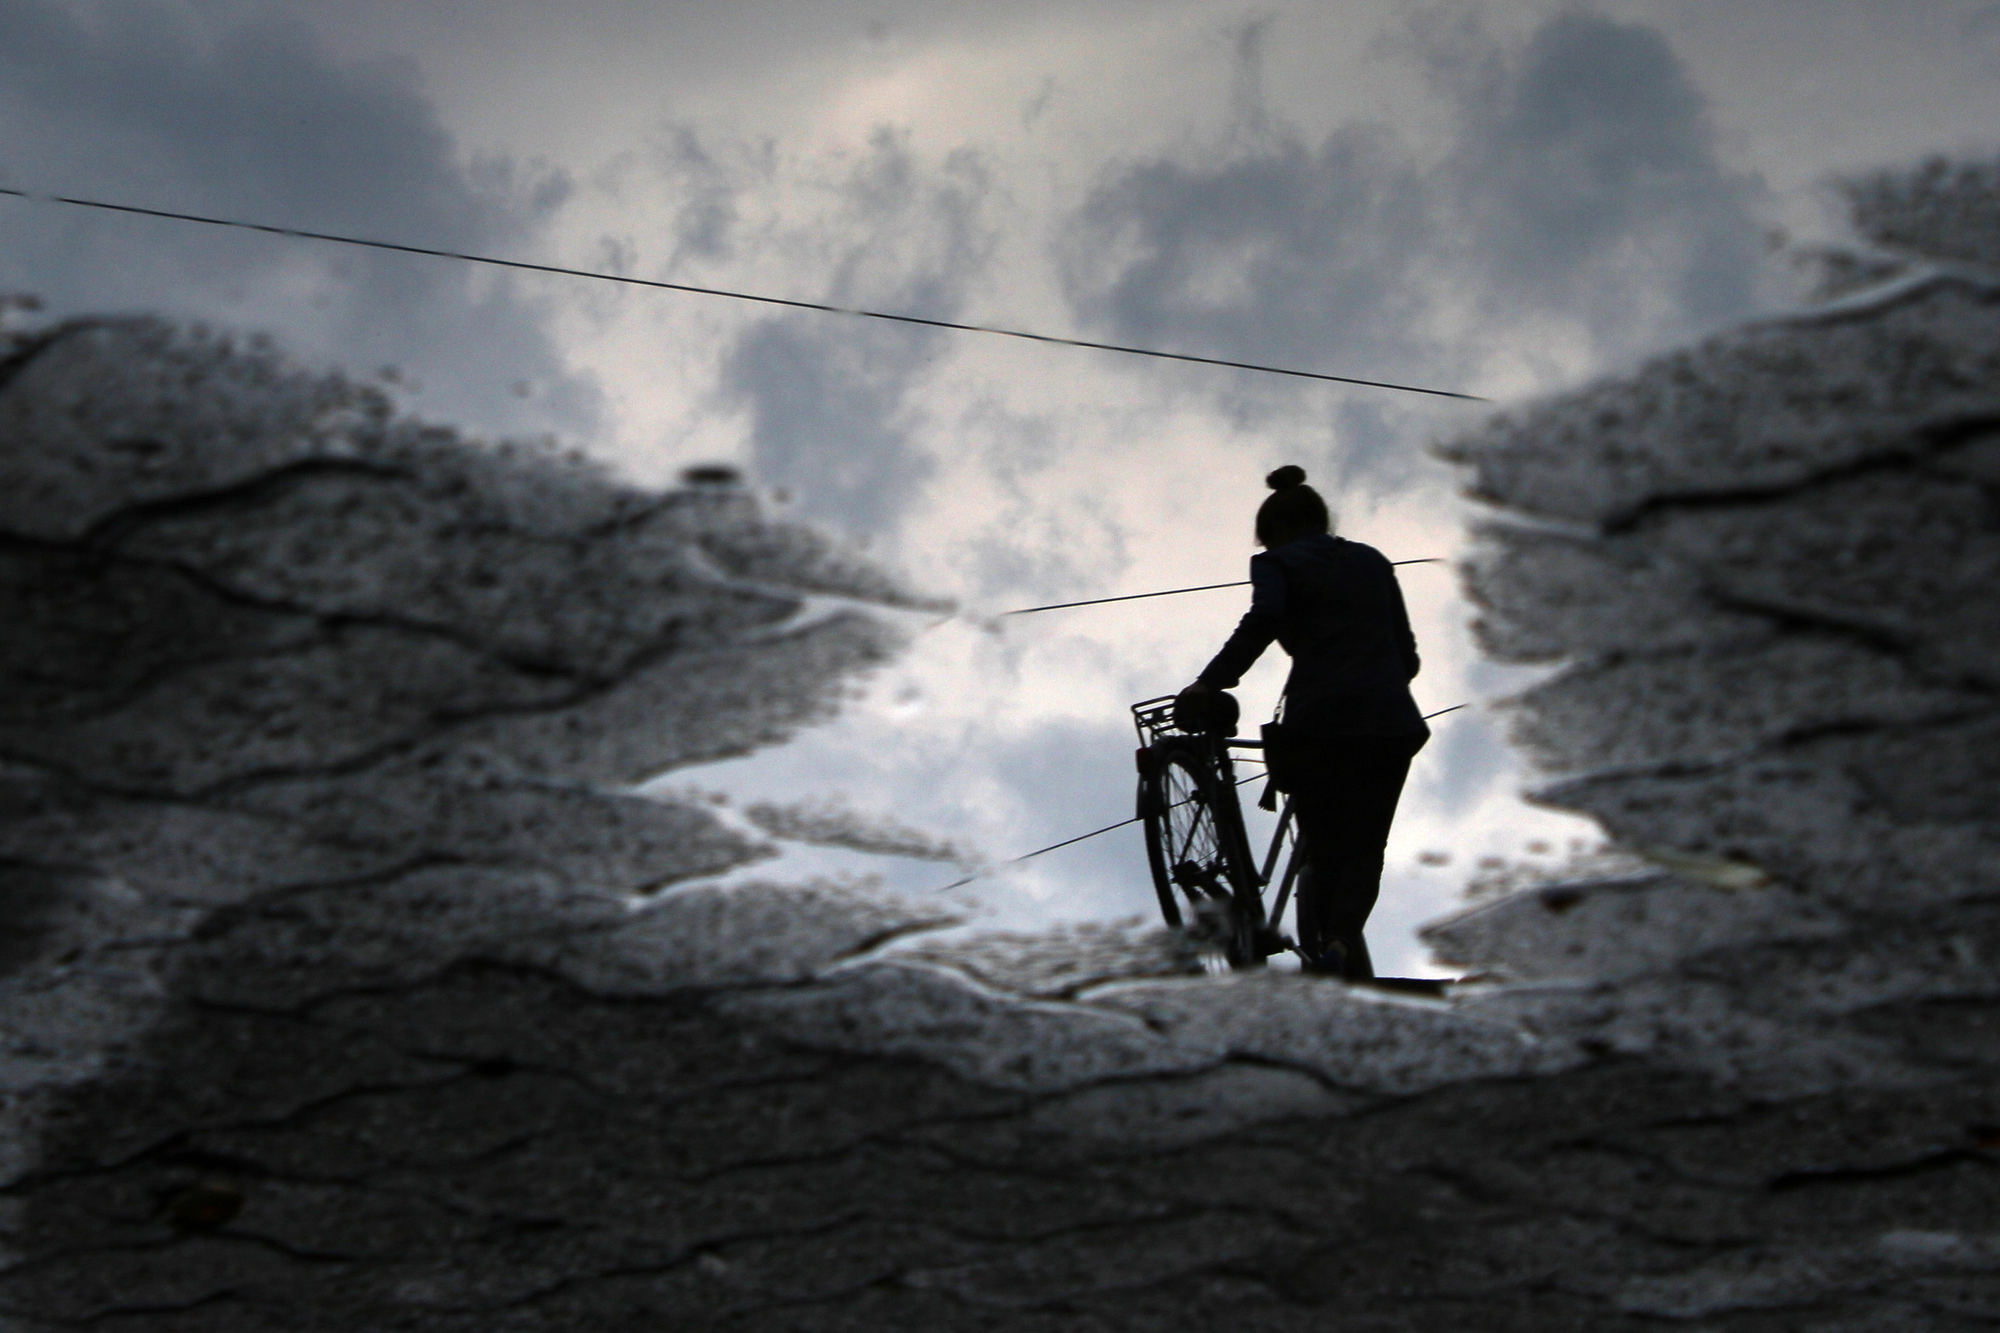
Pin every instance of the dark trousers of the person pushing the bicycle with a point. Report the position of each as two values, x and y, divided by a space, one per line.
1345 806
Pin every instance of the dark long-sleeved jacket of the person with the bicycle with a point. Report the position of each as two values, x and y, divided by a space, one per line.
1337 609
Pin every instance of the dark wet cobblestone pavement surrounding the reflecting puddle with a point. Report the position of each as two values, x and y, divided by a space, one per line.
347 988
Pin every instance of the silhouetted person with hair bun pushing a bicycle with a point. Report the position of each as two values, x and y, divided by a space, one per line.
1351 726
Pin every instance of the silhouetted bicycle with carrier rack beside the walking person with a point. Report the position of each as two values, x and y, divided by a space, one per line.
1197 844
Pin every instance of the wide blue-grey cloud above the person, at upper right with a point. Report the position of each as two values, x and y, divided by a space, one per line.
1581 185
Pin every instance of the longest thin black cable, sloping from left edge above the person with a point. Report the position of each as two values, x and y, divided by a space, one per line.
717 291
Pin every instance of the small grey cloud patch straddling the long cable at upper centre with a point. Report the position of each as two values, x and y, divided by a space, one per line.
827 397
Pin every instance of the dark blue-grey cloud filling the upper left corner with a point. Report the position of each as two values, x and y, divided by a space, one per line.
259 123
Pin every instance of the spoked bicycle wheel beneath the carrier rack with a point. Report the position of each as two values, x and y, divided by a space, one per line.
1195 846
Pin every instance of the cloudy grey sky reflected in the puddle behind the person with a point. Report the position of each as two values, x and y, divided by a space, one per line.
1501 199
